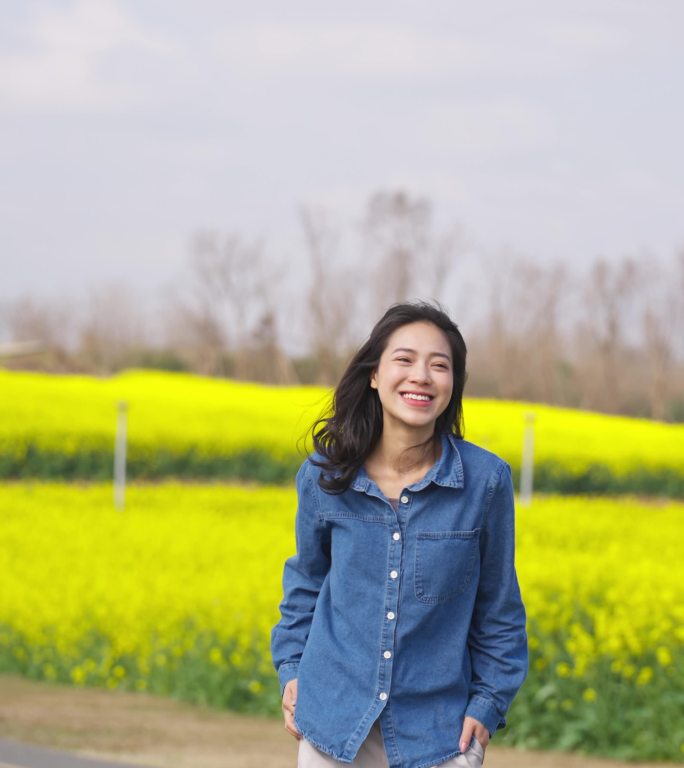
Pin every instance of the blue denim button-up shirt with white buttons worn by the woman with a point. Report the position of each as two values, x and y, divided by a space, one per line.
413 617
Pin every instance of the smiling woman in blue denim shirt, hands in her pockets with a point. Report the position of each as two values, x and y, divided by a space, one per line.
402 637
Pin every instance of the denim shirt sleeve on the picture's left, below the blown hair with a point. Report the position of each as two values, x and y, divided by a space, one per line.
303 576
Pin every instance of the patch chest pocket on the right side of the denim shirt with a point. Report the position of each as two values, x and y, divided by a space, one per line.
445 564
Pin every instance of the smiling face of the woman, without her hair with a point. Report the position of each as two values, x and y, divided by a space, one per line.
415 377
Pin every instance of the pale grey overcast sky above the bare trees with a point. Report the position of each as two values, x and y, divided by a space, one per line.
125 125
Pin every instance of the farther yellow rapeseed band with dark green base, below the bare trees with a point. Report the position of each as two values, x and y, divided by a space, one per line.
189 426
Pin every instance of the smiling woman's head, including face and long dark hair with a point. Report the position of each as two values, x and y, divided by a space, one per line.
363 407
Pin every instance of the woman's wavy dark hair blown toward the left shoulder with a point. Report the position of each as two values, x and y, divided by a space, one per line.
346 435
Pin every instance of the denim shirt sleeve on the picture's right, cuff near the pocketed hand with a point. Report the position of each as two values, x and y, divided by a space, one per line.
497 640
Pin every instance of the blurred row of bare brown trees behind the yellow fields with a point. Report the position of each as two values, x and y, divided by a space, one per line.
608 337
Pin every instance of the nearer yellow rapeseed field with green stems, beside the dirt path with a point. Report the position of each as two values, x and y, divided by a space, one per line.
177 594
